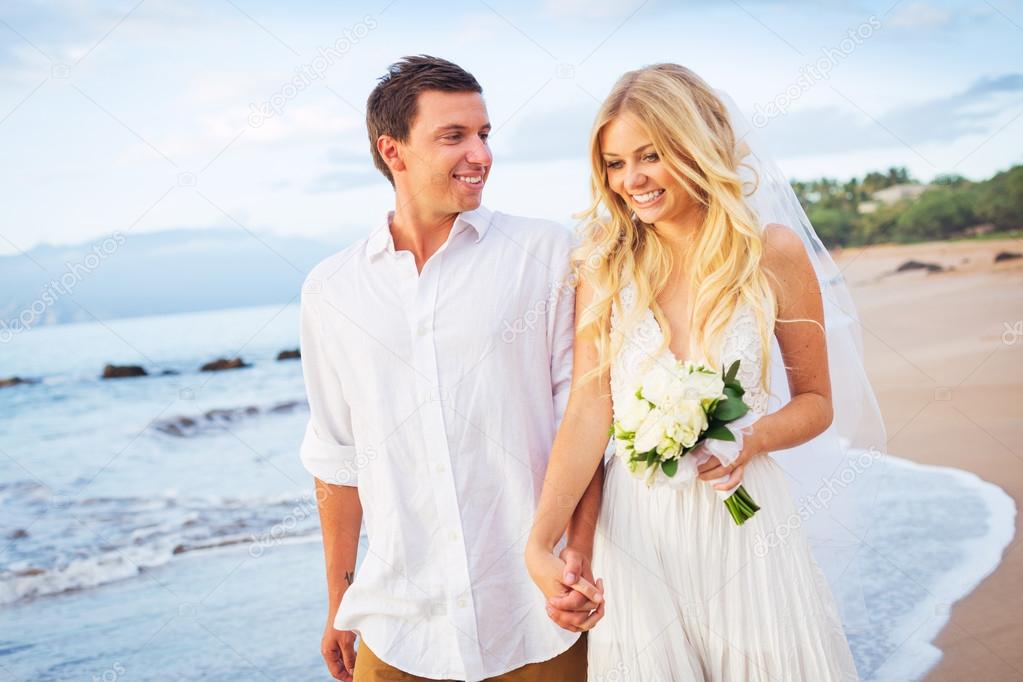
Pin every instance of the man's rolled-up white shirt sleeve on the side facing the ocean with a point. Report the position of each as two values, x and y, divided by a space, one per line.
328 449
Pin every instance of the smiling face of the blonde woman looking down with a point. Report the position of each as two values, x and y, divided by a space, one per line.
637 173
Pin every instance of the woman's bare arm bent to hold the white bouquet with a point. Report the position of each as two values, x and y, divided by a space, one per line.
802 337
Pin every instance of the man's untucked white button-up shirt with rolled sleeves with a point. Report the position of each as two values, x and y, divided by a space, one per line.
438 395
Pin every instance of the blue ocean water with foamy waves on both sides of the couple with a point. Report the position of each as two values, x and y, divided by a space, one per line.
163 528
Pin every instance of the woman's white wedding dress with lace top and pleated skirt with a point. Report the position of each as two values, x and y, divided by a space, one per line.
691 596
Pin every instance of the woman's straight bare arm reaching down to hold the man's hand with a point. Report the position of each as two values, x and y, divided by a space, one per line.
575 456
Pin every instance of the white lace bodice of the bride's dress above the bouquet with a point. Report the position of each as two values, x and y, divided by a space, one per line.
741 342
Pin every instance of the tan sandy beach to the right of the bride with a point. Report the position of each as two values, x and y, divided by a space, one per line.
944 351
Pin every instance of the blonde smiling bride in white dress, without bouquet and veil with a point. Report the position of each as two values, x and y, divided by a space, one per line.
677 266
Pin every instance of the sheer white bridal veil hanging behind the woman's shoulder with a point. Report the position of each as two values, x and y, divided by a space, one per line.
835 477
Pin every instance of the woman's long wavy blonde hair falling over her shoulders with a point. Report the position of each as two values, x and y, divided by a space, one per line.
690 128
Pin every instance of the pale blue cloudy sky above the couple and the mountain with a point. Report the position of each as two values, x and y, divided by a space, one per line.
140 116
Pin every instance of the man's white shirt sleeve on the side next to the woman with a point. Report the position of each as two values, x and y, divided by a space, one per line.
561 328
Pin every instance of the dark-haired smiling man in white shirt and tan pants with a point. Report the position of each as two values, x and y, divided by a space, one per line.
437 359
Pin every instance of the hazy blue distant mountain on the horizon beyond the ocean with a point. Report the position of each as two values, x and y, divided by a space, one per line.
155 274
